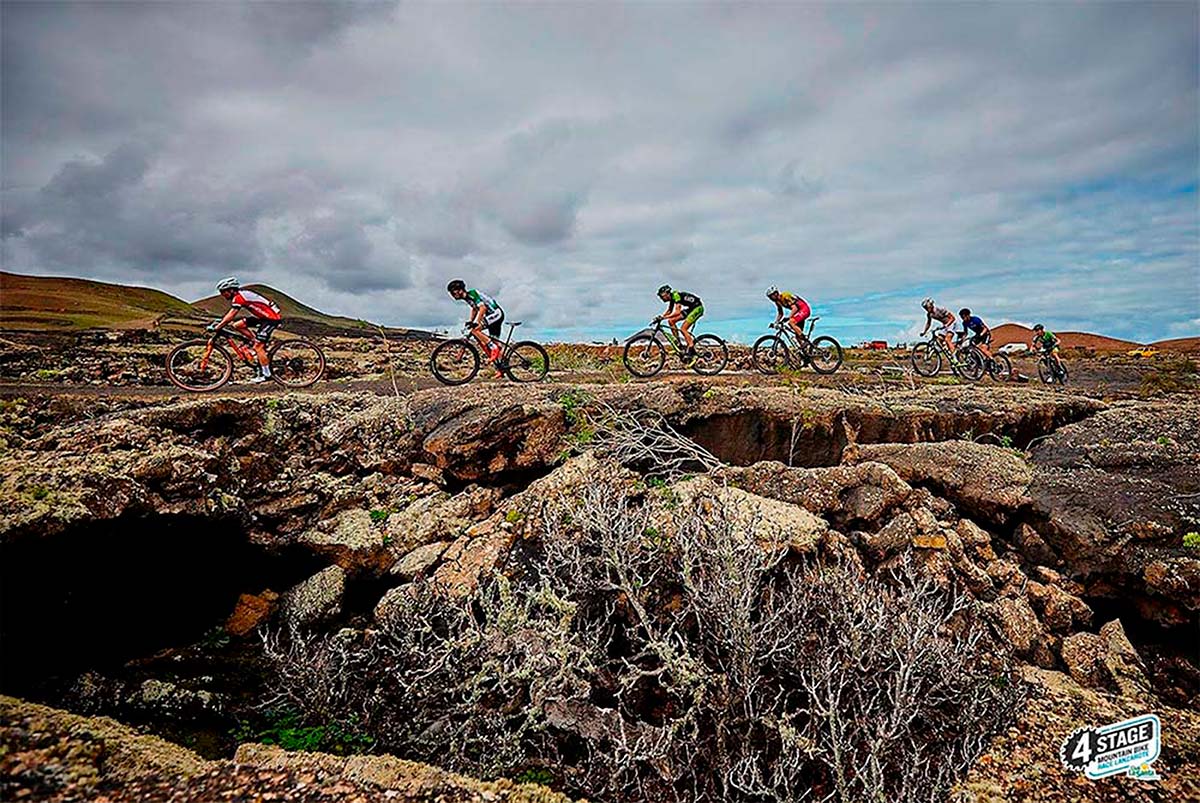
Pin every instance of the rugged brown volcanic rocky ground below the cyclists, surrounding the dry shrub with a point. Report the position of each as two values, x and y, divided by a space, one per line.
147 543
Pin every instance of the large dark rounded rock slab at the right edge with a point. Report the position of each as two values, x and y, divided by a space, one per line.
1118 493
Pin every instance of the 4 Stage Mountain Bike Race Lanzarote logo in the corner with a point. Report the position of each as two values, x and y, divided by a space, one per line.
1129 747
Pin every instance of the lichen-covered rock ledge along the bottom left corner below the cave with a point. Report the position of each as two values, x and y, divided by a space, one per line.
55 757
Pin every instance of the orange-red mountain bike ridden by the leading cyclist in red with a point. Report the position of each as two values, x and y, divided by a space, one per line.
206 364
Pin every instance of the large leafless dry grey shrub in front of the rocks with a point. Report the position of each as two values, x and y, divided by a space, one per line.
698 666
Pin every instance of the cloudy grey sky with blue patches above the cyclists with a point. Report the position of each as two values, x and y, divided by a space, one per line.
1035 163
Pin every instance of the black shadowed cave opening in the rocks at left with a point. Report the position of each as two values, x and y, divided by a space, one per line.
106 592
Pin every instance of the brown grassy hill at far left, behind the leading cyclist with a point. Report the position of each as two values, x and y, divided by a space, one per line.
49 303
